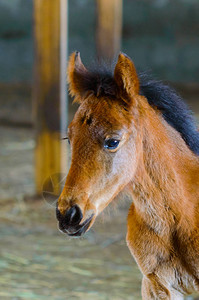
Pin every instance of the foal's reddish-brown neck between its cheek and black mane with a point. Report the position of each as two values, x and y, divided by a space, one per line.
166 176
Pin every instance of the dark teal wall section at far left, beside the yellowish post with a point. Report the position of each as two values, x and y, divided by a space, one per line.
16 43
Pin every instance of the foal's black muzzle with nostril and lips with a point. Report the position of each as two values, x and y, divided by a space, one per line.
70 221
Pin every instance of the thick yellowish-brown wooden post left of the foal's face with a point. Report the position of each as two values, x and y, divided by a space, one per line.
50 29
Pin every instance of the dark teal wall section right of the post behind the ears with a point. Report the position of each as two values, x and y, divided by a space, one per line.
162 35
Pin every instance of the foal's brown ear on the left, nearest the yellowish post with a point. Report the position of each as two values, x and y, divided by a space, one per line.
76 71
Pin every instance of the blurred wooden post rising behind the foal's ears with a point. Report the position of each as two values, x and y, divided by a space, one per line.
109 28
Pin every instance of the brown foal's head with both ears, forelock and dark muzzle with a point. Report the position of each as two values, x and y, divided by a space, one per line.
104 139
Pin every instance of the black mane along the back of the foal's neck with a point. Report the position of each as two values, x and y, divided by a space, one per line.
173 108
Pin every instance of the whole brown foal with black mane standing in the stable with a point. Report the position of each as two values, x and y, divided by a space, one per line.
122 141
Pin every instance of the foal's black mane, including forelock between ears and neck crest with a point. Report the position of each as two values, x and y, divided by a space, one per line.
174 110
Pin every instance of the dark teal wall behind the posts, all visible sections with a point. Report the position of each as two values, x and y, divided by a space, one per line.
160 35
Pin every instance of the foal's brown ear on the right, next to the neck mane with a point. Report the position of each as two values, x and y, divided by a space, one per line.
126 78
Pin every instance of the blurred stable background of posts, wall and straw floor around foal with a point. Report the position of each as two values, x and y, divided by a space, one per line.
36 37
